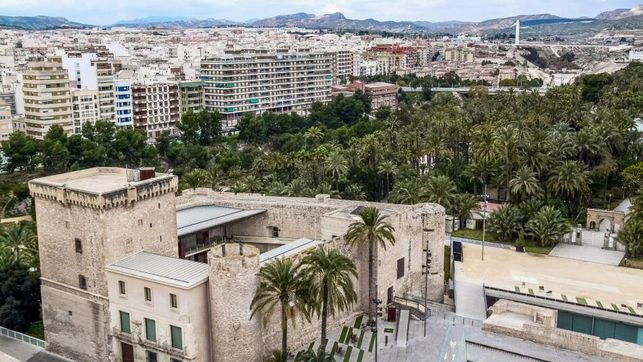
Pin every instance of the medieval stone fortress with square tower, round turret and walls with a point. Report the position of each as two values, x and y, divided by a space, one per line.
121 276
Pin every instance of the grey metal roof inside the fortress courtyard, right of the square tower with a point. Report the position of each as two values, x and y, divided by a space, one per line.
198 218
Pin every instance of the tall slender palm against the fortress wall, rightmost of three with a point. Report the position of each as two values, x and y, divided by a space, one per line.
371 230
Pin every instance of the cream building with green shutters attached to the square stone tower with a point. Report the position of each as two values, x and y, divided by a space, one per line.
160 305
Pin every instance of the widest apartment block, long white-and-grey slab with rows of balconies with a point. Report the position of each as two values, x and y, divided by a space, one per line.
265 81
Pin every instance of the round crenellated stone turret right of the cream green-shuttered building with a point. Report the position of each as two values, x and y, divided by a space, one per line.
233 282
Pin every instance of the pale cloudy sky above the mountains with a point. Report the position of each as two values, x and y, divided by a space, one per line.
102 12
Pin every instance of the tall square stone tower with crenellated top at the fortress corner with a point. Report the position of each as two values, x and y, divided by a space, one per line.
86 220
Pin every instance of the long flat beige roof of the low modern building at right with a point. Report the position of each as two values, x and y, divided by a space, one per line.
508 269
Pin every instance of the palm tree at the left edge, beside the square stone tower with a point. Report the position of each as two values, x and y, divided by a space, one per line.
20 245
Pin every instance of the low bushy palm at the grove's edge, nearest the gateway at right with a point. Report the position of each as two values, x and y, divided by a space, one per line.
548 225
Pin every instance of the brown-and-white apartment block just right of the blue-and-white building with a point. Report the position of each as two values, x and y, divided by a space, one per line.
156 107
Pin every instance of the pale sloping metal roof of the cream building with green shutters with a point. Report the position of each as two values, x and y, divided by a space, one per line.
163 269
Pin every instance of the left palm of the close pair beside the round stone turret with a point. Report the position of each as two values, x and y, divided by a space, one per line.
284 284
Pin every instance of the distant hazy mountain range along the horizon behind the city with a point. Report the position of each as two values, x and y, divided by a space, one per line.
337 21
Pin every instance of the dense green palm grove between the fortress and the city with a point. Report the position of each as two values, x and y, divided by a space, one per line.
546 157
